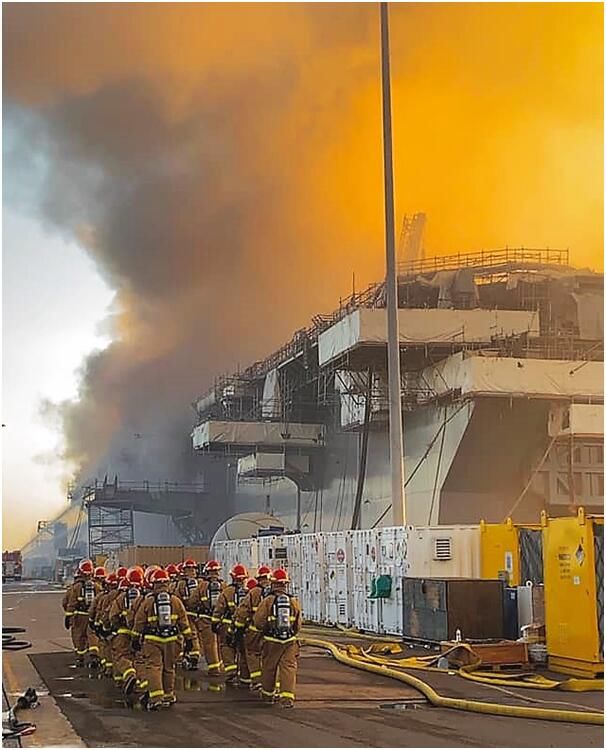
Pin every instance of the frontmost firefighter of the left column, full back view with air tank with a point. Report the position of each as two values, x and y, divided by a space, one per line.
158 621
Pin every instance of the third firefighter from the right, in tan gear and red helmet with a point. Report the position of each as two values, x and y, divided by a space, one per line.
232 650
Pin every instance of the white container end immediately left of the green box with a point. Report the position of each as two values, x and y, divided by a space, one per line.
364 553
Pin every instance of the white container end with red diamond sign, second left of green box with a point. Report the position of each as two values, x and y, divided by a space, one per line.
336 578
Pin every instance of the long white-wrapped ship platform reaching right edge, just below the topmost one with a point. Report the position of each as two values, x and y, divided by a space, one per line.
547 378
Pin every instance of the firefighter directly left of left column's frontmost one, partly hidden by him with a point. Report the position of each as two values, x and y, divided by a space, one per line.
121 618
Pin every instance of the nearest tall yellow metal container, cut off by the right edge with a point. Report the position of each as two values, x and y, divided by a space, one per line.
573 557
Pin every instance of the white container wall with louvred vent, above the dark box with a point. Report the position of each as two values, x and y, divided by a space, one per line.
444 552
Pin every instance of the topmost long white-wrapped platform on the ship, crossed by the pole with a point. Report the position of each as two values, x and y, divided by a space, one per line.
418 326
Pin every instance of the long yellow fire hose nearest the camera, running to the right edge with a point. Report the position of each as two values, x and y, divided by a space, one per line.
461 704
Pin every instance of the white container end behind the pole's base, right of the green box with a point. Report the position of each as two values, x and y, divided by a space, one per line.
392 561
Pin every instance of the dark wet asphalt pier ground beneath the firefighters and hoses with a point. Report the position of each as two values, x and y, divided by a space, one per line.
336 706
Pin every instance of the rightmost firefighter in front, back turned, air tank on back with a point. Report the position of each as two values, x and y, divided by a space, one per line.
279 619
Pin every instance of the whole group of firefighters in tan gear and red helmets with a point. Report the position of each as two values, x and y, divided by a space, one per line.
137 625
